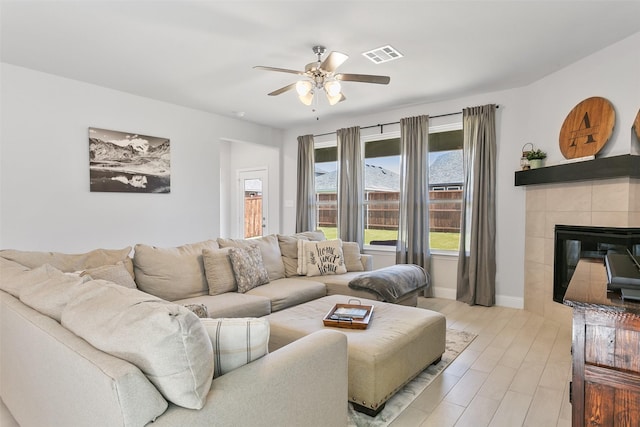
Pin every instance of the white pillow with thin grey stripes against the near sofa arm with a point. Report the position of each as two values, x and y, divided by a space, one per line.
236 341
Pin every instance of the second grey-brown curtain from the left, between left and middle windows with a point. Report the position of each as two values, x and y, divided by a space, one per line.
350 186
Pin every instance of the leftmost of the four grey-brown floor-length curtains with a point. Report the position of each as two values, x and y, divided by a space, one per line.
306 193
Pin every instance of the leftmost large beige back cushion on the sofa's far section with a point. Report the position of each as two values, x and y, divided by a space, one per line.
172 273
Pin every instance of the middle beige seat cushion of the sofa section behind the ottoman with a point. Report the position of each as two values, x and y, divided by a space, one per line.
287 292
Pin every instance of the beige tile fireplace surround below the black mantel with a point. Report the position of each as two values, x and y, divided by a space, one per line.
612 202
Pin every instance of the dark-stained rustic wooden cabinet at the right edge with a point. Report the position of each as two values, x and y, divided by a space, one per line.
606 351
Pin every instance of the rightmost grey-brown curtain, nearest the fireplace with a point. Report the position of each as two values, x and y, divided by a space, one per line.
477 260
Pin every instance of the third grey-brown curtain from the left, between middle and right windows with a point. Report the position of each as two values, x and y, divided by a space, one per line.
413 223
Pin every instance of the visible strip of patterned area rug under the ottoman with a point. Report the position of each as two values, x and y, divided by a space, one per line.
456 342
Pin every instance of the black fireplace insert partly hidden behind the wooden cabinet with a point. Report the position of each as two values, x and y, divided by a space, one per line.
573 242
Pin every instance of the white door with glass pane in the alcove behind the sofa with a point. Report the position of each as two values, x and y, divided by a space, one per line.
253 185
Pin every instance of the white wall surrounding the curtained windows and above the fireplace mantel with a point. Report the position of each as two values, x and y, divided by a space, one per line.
529 114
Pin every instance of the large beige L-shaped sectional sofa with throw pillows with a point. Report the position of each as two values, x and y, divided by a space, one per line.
70 324
